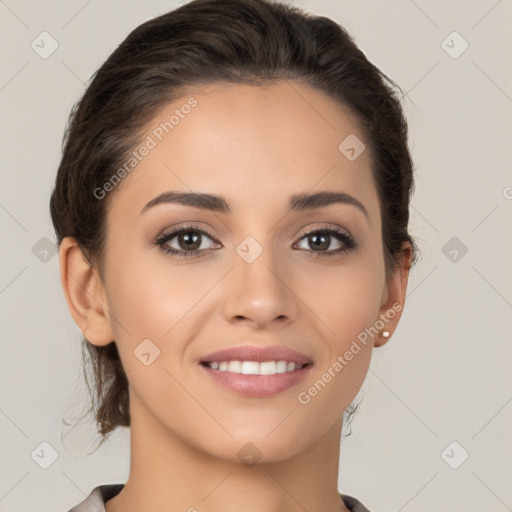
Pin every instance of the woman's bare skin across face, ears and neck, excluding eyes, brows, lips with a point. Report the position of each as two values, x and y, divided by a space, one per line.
255 146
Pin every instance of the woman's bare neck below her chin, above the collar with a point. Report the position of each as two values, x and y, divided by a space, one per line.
167 473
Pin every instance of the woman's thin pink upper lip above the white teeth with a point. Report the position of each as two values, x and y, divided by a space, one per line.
257 353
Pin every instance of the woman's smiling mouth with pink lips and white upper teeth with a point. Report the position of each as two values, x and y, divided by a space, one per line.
253 371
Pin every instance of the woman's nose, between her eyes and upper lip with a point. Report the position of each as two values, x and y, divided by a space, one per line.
260 293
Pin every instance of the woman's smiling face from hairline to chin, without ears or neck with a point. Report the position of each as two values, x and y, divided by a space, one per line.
253 273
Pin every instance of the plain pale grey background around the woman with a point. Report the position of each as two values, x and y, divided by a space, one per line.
444 377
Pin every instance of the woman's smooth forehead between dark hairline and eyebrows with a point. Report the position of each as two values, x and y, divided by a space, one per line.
255 145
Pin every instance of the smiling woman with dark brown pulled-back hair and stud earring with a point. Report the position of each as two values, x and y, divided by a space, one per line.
232 208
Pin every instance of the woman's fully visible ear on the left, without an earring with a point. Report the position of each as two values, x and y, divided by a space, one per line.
85 294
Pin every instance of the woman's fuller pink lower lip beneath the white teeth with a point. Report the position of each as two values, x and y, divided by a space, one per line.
258 386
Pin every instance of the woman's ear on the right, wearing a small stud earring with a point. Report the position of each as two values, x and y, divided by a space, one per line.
393 297
